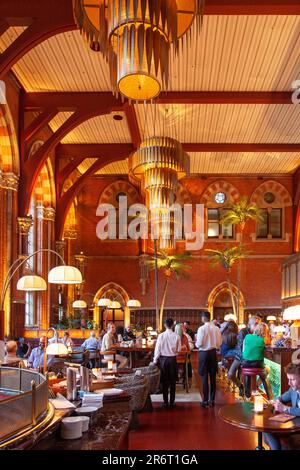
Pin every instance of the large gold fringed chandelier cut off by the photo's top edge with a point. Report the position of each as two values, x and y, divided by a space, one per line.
135 38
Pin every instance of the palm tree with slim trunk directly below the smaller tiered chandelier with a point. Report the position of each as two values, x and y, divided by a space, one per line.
172 265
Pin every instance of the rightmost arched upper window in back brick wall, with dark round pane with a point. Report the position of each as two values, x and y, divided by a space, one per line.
272 198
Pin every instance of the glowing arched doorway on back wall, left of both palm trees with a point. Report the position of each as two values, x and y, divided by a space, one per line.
102 316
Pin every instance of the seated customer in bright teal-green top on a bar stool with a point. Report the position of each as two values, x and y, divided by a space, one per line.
253 353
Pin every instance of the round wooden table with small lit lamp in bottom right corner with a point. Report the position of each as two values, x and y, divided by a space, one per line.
242 416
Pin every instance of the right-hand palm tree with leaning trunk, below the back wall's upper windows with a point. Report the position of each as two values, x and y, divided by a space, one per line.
226 259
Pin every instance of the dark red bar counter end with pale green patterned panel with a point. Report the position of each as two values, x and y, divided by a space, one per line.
275 361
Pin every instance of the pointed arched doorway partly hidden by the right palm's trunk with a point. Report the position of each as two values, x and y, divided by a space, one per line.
219 301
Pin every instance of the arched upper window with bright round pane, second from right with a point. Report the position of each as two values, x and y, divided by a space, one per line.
215 198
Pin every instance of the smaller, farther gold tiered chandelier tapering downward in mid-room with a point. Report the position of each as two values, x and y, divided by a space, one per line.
160 162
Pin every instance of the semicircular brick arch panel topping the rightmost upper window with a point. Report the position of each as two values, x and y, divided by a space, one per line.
283 197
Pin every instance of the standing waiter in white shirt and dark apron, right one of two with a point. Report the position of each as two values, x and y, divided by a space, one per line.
209 339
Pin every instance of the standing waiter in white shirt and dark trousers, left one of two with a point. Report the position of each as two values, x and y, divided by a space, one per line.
167 347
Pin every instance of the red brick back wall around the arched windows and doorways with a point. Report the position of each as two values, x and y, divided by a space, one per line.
118 261
